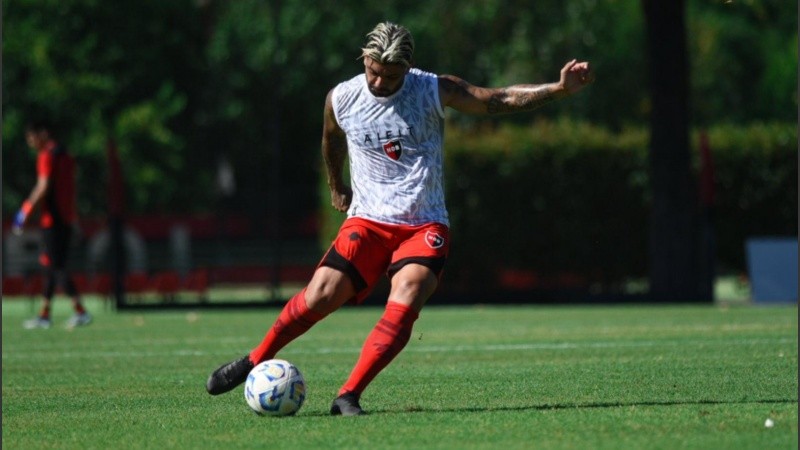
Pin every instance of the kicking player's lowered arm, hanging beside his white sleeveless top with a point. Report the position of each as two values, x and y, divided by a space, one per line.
334 152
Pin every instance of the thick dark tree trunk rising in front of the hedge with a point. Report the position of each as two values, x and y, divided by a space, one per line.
673 258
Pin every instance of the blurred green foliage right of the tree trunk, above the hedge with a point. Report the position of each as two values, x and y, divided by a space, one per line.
743 60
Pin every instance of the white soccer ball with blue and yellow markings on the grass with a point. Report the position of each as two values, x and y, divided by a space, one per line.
275 388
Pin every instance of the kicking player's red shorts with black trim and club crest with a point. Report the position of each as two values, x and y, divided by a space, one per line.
365 250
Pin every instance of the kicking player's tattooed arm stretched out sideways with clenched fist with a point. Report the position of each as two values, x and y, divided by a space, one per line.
467 98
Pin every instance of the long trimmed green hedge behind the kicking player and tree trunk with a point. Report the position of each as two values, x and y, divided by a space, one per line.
571 202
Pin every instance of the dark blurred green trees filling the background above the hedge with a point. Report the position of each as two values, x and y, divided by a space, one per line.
181 85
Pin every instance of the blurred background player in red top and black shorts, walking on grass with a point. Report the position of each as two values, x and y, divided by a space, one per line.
54 194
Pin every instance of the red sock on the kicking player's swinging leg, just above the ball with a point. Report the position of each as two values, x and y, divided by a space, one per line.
294 320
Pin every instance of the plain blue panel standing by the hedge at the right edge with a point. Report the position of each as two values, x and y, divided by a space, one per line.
772 263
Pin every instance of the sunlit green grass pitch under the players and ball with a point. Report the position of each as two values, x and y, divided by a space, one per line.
610 377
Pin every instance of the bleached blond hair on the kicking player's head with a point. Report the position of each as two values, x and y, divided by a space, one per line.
389 43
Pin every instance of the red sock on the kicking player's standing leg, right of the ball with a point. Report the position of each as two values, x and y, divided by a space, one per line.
387 339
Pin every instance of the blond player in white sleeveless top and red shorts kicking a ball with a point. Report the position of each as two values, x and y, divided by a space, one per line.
389 122
